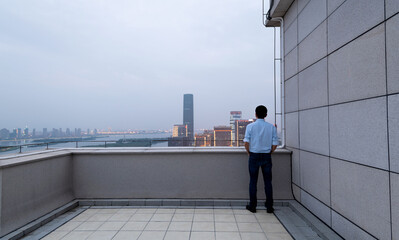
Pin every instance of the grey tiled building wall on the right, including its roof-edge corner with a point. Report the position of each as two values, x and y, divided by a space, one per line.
341 83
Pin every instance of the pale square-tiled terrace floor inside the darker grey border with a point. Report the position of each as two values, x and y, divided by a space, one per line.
171 224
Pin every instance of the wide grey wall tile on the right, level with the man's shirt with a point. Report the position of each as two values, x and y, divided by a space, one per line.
358 132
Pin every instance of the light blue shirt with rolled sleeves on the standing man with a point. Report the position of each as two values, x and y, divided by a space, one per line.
261 135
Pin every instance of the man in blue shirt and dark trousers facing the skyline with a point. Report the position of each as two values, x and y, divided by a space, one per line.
260 141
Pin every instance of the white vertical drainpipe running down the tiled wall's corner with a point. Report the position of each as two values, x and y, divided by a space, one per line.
282 57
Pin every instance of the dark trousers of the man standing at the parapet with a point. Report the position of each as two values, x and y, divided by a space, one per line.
263 161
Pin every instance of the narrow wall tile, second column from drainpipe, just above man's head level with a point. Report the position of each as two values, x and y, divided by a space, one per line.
313 86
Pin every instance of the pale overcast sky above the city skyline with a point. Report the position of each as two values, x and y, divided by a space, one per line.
125 64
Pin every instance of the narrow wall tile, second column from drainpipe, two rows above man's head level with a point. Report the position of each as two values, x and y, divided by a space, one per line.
313 47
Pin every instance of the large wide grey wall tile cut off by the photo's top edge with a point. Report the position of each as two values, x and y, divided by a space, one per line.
352 19
